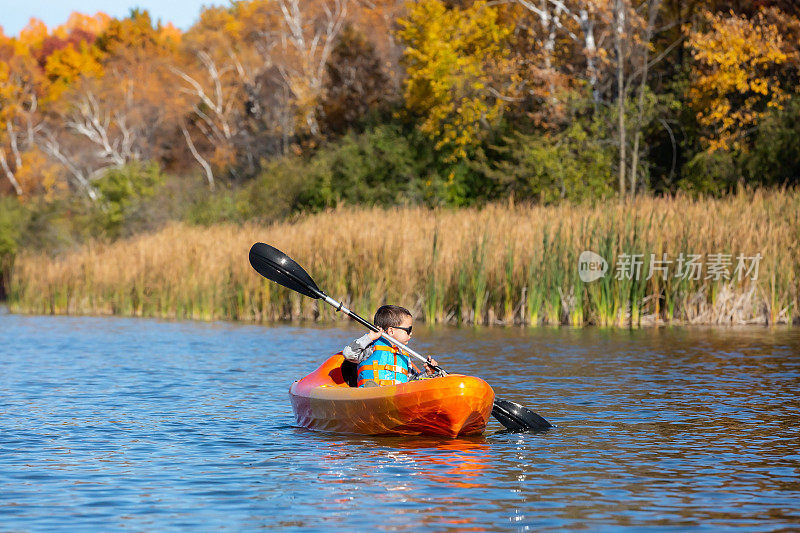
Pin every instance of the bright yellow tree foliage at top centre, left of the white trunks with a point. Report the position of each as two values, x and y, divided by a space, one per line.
451 57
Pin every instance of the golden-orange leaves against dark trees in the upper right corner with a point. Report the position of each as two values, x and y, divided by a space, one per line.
735 77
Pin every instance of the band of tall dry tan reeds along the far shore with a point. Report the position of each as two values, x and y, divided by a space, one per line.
503 264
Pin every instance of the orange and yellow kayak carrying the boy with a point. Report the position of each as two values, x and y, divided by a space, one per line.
449 406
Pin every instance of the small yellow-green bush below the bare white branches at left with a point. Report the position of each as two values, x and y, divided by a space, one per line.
123 192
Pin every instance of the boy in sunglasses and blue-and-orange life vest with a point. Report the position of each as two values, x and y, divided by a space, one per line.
381 363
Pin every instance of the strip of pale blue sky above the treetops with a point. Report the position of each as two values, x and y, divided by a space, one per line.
14 14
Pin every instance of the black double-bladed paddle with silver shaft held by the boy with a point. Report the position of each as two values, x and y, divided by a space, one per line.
283 270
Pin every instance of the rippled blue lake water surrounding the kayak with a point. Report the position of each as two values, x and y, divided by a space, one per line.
153 425
